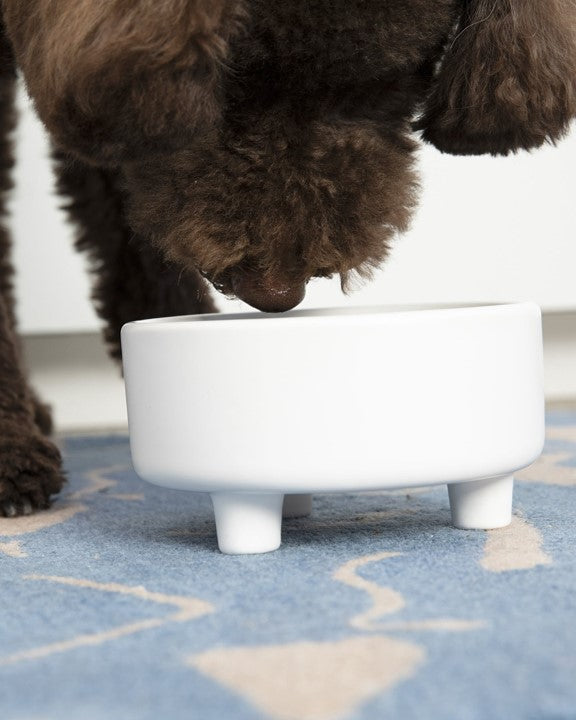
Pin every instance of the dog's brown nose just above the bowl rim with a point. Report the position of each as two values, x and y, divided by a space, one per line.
267 294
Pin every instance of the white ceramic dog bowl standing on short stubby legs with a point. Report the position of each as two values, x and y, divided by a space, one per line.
252 407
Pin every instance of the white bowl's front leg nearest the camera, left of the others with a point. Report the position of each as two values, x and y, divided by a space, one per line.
248 523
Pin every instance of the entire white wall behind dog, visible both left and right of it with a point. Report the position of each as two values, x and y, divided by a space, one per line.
487 229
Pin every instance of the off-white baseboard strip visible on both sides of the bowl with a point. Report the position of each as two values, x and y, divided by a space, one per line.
85 388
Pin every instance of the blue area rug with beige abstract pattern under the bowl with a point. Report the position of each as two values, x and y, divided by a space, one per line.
117 604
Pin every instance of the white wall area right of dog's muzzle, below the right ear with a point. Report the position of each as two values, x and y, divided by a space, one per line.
486 229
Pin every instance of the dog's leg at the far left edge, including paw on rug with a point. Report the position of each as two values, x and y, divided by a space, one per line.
30 468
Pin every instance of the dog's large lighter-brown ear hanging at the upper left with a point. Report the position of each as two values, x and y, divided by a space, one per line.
120 79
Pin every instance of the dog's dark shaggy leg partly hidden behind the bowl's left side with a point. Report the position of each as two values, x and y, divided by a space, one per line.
132 280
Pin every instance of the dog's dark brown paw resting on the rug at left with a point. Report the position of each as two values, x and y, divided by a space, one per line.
30 473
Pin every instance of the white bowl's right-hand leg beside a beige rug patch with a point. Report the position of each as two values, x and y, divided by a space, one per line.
482 504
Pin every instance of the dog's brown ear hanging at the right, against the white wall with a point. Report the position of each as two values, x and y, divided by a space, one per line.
507 80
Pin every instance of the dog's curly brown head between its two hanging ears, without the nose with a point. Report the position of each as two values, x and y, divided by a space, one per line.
310 173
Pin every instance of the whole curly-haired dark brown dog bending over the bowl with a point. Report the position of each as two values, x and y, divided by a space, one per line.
257 143
